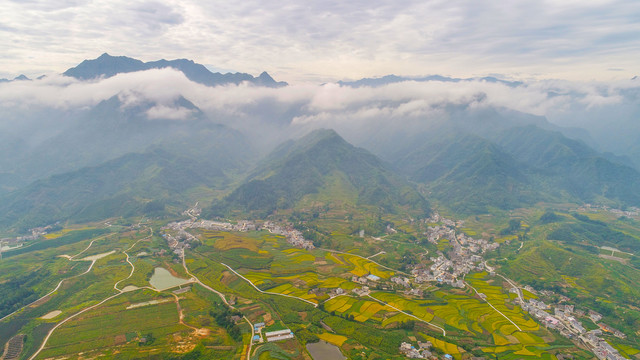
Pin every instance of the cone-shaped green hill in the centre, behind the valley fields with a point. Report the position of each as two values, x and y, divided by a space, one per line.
325 170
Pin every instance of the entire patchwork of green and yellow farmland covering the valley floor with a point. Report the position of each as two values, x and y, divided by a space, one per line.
341 297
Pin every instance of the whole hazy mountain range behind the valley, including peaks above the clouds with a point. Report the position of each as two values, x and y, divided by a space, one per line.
116 158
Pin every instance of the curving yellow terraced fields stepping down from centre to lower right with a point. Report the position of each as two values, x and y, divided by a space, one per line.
298 272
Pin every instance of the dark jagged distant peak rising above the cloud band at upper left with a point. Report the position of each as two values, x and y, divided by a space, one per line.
107 66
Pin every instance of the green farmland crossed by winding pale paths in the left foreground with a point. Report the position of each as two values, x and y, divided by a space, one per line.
109 328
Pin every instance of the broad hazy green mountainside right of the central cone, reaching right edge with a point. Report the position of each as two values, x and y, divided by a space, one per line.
517 167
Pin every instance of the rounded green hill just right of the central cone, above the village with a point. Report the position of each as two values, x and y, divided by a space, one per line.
470 174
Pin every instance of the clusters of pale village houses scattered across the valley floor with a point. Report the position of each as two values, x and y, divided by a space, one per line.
464 257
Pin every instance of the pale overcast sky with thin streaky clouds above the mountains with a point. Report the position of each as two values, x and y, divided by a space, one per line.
319 41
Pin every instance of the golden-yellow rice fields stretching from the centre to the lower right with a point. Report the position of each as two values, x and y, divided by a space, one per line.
462 311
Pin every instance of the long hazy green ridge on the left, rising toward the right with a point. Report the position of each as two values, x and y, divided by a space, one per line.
137 183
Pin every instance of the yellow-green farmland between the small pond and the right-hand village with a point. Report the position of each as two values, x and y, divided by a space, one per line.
312 275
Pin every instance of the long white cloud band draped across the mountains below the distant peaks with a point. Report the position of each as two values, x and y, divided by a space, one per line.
309 104
